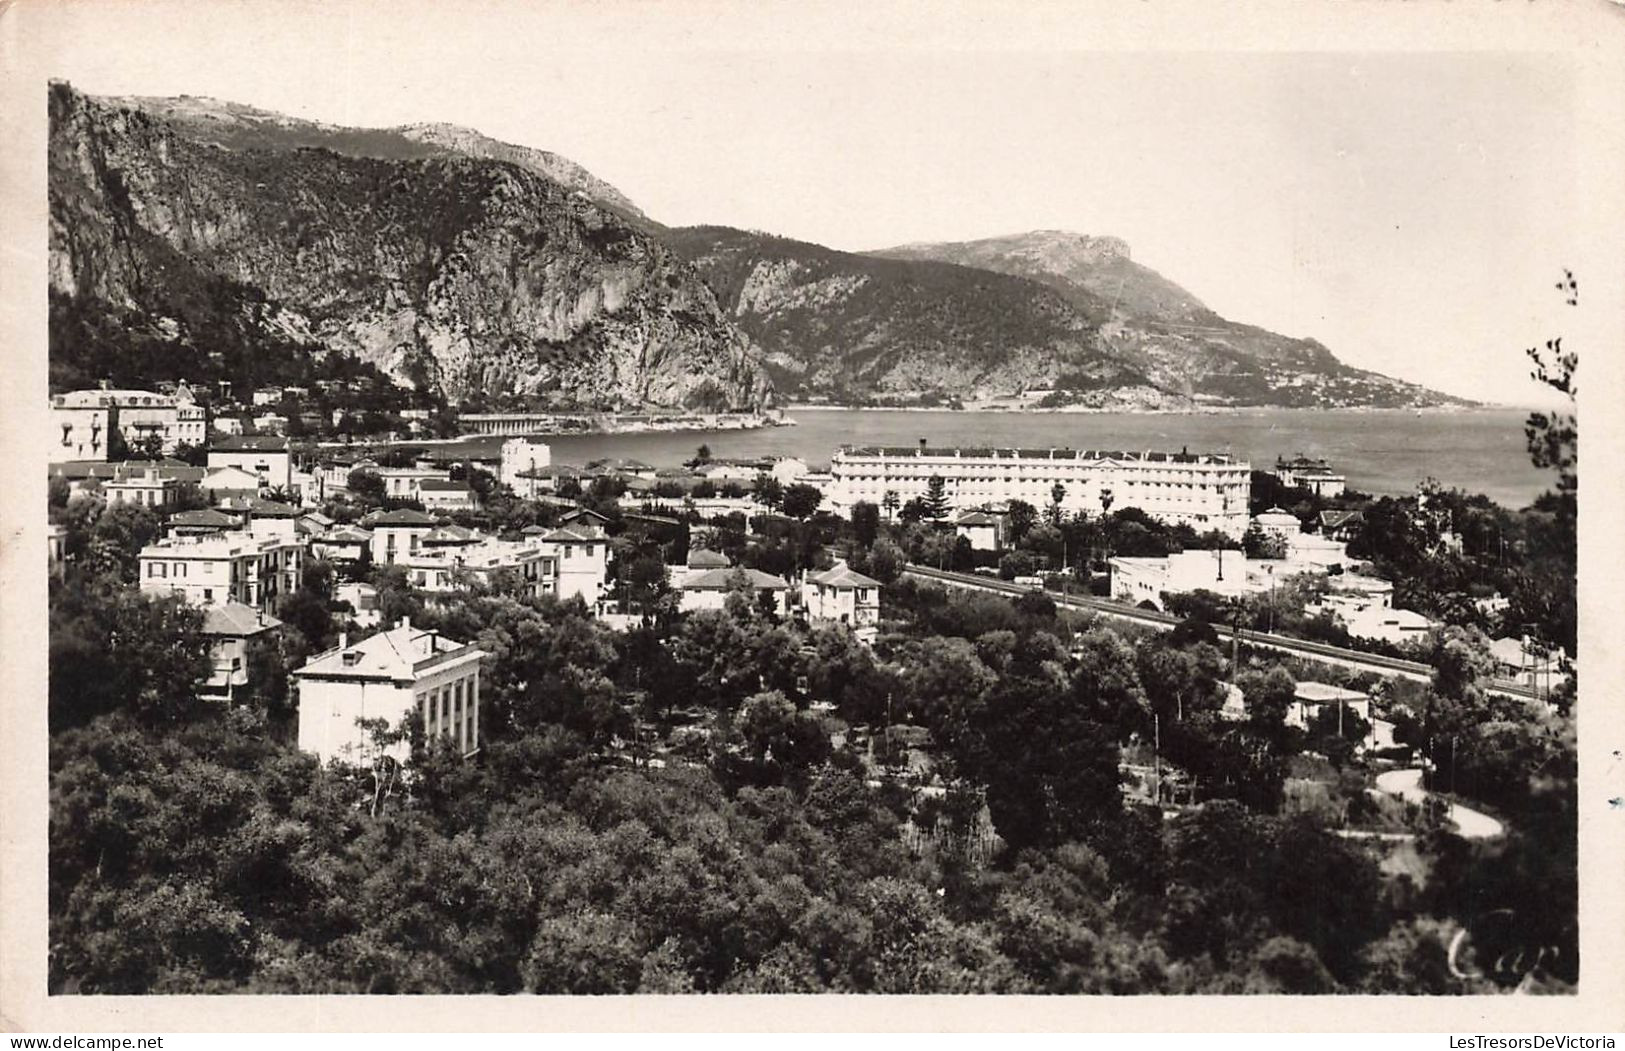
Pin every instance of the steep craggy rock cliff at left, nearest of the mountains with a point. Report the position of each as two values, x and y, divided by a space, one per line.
438 257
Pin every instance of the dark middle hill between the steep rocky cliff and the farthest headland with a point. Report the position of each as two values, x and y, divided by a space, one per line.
856 327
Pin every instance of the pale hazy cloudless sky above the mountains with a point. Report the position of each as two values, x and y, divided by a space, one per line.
1408 210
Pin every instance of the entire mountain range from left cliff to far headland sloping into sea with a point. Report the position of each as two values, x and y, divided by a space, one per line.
490 272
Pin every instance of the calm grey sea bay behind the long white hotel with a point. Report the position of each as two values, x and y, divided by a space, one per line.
1379 451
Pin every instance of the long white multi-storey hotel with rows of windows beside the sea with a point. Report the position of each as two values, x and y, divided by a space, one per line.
1207 491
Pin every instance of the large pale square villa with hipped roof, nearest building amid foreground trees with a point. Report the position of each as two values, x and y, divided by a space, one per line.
388 678
